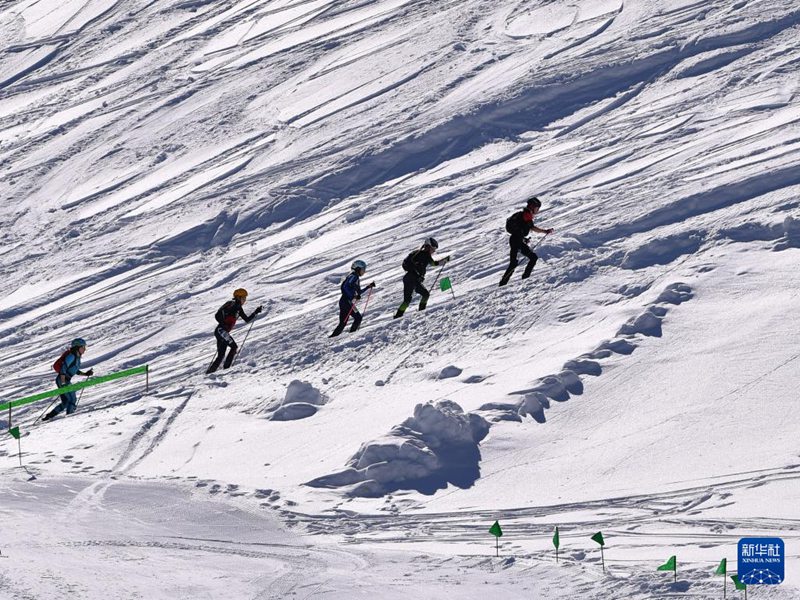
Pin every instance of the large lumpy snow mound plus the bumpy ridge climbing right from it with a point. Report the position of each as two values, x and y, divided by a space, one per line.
439 444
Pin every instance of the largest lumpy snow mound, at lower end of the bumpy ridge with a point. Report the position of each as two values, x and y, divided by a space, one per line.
437 446
